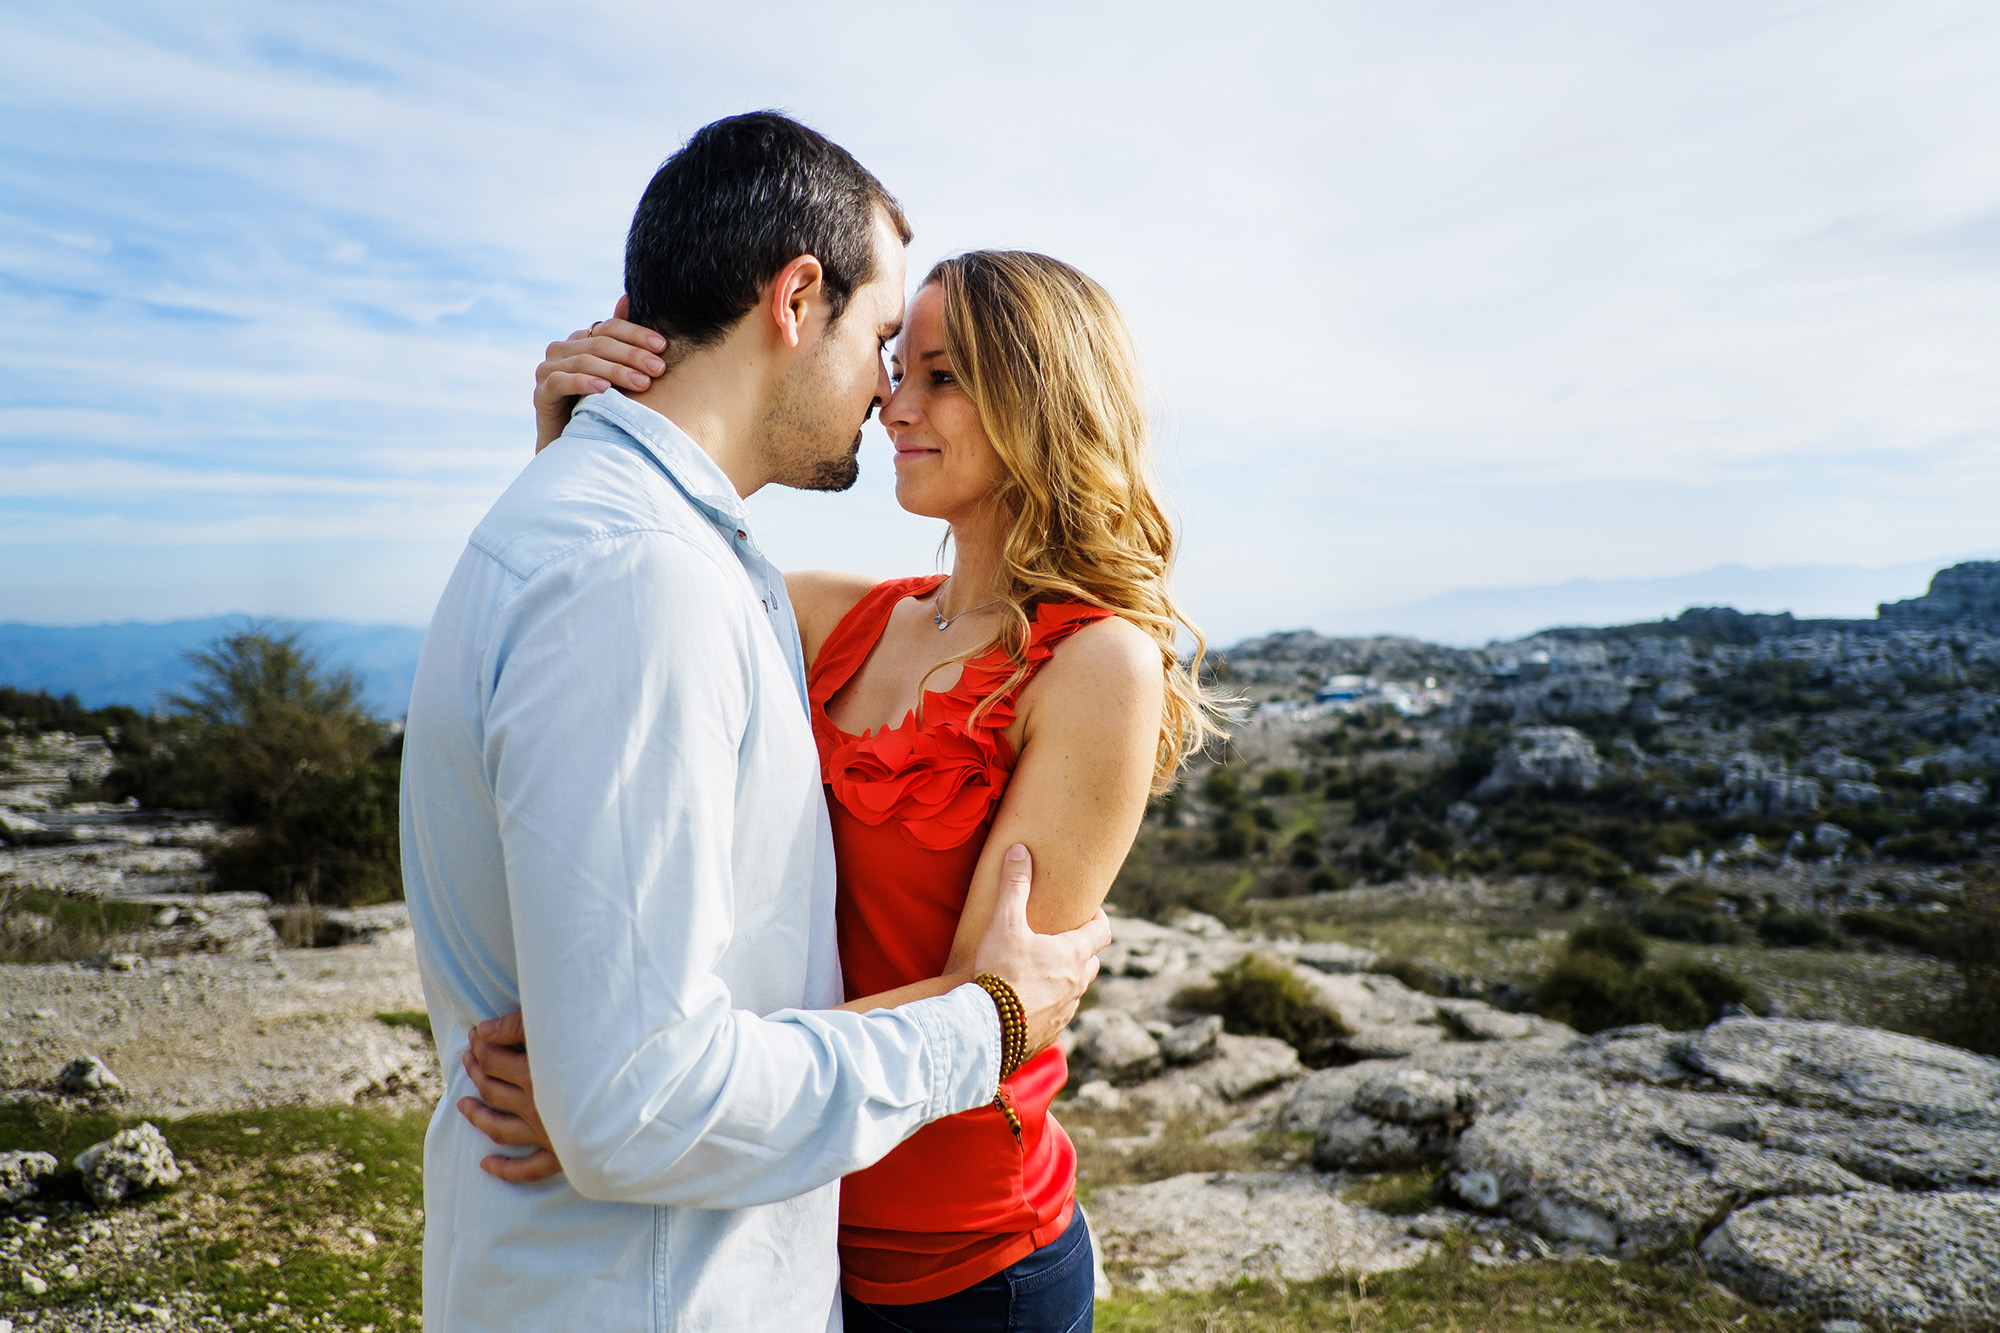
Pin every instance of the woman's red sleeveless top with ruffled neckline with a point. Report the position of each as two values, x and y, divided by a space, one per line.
911 806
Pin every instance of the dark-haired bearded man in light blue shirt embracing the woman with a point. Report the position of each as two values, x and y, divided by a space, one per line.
613 808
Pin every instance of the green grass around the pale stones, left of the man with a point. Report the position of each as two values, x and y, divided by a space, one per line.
293 1218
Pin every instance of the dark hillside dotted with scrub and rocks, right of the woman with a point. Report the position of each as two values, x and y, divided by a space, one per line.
1819 742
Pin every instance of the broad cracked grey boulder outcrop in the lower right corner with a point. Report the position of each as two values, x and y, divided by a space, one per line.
1639 1140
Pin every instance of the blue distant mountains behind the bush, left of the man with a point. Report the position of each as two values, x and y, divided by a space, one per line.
137 663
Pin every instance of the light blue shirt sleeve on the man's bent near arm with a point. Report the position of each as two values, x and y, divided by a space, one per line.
619 698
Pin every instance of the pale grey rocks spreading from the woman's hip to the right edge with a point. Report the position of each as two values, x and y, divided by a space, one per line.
1835 1170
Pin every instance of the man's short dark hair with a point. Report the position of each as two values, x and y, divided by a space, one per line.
739 203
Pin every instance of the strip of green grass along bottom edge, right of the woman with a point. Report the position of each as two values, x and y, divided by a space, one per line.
1455 1294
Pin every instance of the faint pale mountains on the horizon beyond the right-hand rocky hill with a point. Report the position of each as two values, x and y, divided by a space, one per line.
1473 617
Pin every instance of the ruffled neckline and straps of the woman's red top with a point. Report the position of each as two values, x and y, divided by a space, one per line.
937 780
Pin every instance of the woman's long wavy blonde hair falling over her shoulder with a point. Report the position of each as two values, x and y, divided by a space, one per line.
1049 363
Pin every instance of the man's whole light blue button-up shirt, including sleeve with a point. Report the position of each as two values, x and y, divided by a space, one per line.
613 820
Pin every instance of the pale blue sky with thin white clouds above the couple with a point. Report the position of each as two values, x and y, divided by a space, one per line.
1433 295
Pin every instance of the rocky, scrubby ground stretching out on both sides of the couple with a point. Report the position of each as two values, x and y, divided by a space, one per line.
1361 1016
